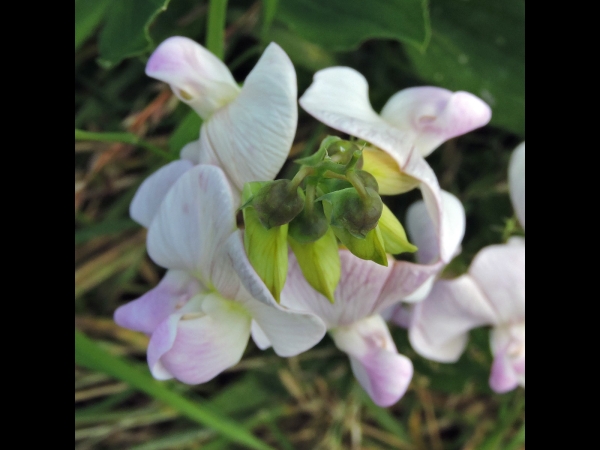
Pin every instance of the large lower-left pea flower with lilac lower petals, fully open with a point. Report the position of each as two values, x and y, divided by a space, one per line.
200 314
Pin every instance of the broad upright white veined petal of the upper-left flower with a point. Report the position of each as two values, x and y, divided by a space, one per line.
252 136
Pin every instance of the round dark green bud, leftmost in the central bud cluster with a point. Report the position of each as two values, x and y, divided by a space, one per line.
277 203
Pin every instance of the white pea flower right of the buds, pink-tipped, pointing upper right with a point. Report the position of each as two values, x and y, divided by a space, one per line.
412 124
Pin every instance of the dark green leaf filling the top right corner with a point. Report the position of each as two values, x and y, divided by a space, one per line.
479 47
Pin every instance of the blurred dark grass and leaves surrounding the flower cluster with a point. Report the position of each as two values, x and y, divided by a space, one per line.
128 125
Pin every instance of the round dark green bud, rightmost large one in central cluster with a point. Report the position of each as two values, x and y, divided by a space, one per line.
352 212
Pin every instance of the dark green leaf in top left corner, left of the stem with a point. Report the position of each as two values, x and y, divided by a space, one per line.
126 33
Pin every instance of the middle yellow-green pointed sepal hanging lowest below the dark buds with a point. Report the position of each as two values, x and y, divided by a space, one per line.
320 263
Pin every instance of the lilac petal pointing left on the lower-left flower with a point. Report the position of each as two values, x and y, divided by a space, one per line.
147 312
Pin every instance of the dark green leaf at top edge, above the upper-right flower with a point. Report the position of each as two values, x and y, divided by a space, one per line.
345 24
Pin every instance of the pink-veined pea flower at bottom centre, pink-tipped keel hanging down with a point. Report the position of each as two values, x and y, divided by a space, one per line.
365 290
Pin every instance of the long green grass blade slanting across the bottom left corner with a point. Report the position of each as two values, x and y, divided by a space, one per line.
91 355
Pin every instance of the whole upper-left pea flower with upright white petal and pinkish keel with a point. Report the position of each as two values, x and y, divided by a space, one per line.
246 131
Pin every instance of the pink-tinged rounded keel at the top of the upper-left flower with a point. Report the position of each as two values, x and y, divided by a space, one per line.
196 76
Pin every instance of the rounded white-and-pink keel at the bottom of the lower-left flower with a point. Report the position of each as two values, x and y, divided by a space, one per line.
196 349
